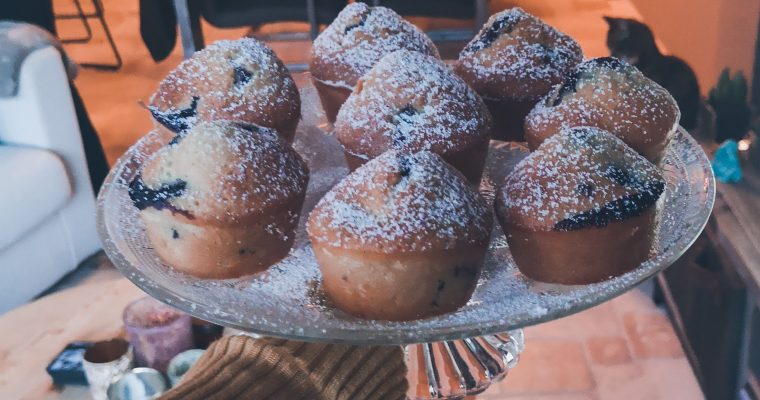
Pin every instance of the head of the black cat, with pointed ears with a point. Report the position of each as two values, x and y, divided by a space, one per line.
629 40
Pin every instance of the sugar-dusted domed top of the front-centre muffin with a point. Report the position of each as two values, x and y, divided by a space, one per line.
402 203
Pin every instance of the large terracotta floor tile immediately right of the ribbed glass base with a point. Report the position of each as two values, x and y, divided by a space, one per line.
549 366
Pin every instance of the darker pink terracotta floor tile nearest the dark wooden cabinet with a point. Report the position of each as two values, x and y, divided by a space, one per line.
651 335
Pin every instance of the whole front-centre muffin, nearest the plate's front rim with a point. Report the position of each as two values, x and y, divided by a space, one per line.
402 237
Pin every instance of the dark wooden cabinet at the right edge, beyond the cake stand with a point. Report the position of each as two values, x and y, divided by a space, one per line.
713 293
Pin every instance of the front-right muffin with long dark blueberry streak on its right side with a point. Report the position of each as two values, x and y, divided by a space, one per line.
581 208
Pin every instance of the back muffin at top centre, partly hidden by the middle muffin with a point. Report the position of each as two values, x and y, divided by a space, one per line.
357 39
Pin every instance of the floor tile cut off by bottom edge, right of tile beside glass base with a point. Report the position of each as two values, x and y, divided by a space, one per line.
624 381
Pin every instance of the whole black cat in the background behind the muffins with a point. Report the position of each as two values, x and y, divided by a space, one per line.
633 41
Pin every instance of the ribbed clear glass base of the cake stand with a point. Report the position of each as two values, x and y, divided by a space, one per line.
458 368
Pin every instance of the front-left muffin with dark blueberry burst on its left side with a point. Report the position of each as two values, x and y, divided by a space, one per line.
223 200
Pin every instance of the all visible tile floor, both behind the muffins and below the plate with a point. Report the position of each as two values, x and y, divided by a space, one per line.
623 349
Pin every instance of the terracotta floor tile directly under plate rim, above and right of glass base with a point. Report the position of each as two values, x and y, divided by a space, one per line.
597 321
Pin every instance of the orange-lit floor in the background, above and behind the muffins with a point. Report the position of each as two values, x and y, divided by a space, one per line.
113 99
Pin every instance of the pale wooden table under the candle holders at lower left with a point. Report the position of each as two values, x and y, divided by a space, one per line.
33 334
